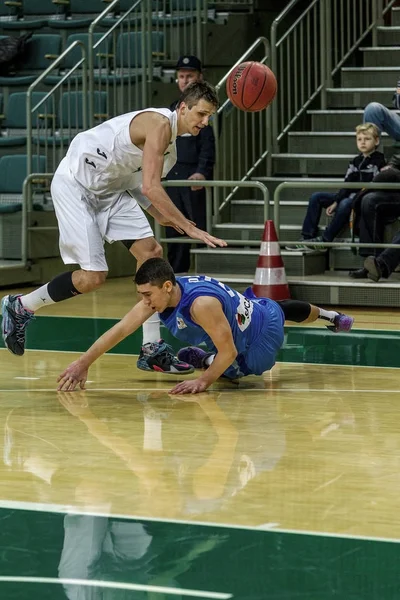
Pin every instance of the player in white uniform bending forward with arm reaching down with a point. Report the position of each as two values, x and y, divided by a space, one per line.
108 174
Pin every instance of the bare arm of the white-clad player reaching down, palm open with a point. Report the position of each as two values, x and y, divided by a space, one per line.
157 135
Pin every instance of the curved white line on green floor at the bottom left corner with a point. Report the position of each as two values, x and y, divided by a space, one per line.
117 585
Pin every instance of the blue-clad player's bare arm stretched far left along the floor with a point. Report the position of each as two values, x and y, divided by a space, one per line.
77 372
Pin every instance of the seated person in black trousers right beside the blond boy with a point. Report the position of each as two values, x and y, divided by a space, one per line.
374 209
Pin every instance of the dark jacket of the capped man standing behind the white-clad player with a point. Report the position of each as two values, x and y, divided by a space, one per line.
198 151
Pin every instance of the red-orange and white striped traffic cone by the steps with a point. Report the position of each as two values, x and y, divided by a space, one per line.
270 278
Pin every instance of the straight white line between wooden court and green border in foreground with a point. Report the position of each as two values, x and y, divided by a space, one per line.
271 527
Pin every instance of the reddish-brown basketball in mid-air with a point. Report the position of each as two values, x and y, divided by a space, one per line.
251 86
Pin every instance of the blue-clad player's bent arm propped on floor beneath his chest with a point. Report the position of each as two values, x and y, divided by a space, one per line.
207 312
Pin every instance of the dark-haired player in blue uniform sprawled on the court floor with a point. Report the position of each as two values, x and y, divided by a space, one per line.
243 333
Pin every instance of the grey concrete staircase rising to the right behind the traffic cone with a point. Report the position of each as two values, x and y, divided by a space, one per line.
323 151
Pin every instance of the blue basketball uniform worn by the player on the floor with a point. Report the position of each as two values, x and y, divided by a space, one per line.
251 320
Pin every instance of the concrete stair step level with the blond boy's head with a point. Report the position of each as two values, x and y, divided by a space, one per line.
331 141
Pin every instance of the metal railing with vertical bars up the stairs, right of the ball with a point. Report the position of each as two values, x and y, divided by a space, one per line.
311 39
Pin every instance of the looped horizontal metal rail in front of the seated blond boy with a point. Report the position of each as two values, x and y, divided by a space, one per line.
331 186
